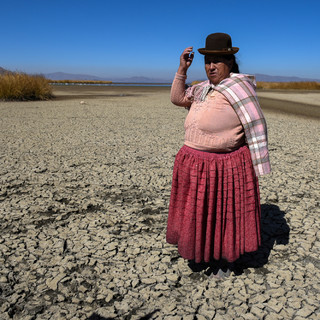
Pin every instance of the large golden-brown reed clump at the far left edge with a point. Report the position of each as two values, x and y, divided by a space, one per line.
16 86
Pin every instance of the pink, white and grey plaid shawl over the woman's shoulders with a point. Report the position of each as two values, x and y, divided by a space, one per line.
239 89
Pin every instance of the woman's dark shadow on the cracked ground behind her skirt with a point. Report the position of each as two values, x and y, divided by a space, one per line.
274 230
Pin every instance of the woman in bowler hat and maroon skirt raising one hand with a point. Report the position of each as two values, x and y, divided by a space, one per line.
214 211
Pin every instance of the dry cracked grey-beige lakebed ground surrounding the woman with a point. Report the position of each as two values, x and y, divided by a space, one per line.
85 185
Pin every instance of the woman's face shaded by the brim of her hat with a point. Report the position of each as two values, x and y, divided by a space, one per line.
217 68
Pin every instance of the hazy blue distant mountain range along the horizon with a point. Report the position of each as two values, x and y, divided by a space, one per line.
69 76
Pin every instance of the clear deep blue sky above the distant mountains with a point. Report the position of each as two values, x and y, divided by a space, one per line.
145 38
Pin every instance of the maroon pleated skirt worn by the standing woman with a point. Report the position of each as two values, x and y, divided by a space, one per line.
214 210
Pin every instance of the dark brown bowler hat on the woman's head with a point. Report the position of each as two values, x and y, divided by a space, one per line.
218 43
